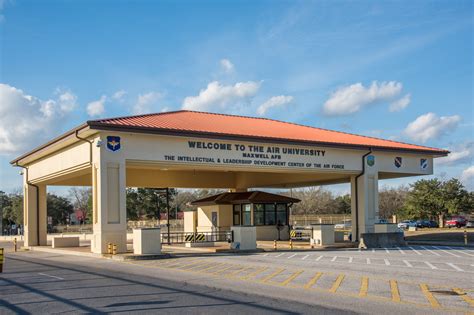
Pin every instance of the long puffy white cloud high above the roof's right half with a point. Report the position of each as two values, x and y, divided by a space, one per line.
351 99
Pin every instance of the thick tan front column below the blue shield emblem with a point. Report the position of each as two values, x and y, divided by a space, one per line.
109 206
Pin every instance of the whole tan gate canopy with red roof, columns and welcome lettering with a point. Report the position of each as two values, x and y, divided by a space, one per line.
187 149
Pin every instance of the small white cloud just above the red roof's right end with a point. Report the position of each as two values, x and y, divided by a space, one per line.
429 126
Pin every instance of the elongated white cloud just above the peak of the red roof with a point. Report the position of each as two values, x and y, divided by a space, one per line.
218 95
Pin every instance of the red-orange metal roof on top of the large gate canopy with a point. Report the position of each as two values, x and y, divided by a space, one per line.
201 123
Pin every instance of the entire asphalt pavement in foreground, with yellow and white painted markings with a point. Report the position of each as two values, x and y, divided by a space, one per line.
411 280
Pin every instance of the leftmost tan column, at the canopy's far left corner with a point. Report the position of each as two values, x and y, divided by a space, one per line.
34 214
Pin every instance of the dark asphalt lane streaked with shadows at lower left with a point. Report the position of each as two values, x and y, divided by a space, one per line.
38 283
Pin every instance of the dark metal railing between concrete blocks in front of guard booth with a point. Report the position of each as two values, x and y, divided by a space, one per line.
198 237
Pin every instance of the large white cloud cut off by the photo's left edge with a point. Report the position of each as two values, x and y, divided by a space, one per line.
26 121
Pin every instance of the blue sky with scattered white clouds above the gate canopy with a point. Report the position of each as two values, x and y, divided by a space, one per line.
400 70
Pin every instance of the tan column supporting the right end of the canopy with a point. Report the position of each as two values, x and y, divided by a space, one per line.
368 204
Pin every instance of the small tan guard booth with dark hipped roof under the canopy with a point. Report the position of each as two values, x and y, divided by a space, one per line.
269 213
